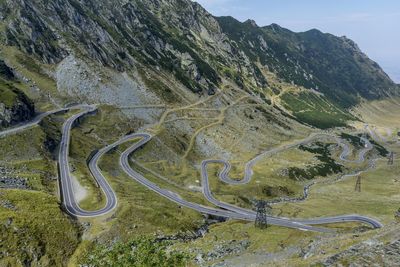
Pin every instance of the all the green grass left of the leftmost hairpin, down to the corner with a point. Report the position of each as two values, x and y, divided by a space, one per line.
39 233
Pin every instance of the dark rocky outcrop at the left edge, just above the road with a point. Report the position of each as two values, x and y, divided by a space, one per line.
15 106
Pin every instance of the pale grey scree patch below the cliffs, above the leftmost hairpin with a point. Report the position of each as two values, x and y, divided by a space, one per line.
77 79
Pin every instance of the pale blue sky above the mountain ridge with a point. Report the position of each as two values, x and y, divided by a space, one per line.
373 24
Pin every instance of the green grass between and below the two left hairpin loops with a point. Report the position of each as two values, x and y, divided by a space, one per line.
136 204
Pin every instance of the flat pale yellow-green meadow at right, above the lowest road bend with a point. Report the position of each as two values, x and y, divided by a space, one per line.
378 198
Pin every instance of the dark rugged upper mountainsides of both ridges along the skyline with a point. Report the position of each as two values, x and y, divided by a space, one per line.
182 39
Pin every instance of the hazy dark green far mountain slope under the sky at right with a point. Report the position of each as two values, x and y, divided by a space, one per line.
332 65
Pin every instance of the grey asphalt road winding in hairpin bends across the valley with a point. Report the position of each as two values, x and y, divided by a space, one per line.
225 210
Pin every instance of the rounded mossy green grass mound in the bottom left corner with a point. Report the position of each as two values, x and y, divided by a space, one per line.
35 231
